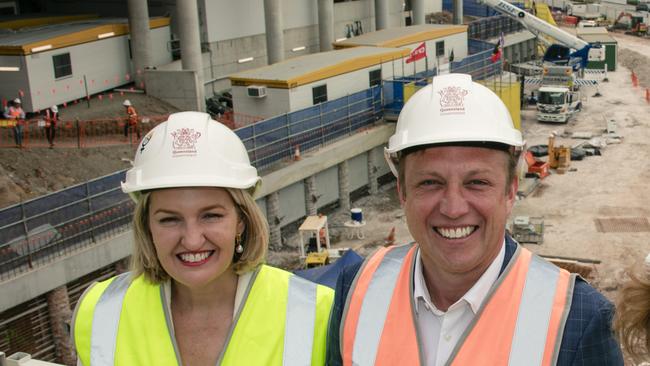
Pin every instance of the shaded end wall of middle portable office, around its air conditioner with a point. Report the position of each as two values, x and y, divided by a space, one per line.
275 103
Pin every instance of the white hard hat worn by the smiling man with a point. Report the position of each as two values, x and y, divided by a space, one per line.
452 109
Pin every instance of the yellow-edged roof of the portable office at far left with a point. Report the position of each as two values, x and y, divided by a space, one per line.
21 42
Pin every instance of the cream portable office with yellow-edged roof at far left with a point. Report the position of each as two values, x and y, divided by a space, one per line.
46 65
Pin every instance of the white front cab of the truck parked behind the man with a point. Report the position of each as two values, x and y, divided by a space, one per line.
557 104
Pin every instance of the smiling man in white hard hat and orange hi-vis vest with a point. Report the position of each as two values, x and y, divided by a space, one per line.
464 293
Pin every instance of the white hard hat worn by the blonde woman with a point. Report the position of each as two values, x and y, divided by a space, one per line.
190 150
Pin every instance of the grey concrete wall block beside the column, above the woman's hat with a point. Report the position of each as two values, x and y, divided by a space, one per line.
178 88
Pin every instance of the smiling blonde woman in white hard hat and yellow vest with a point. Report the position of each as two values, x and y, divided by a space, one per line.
198 293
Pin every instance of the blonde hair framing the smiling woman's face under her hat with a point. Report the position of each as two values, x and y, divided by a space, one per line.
254 239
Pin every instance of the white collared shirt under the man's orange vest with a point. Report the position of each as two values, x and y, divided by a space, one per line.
440 331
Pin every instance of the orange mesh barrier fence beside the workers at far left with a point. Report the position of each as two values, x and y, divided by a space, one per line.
76 133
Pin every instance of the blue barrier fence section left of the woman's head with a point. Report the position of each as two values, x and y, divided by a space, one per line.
52 226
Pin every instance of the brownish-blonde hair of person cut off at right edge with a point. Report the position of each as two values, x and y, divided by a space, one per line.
632 317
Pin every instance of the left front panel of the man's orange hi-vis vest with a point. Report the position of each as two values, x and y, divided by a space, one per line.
376 308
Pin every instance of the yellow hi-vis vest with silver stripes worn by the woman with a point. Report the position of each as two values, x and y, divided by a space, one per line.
282 320
